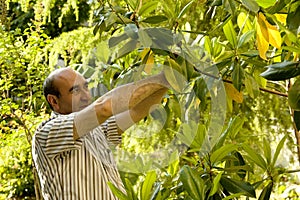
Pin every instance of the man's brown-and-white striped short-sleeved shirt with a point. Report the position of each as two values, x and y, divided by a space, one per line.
80 169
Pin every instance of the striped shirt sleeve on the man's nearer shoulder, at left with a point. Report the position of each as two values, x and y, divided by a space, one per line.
57 135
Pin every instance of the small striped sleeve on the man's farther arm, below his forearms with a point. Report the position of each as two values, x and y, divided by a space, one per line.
110 129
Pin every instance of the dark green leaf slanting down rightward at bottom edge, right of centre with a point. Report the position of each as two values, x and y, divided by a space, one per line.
237 186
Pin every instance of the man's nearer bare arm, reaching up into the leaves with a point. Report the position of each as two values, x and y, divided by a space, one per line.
118 100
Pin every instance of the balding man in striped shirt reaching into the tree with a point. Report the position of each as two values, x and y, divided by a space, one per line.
71 150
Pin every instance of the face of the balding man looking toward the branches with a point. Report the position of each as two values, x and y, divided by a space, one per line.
74 92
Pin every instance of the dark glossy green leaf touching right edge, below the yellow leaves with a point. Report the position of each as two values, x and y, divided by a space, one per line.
281 71
